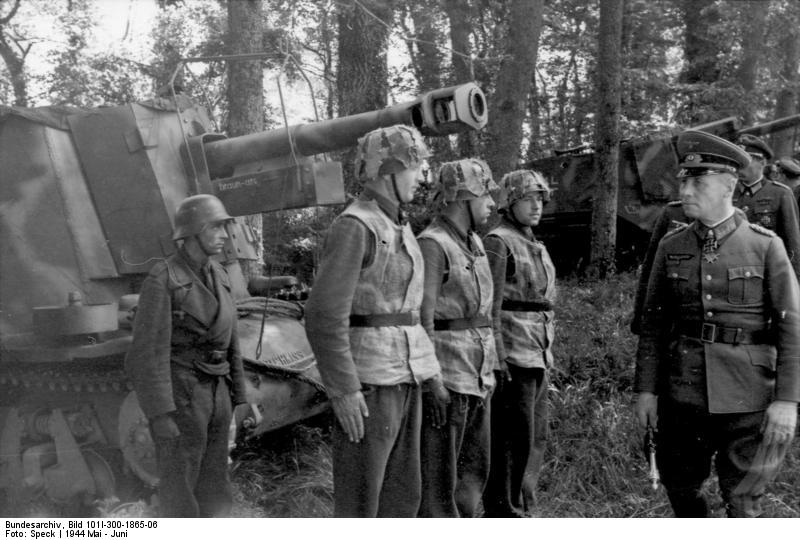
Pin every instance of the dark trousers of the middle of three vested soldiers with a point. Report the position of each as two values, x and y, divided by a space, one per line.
455 458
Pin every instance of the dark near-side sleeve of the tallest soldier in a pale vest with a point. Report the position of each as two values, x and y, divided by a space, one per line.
330 302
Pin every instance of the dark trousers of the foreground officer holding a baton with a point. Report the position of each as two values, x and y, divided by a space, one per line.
688 438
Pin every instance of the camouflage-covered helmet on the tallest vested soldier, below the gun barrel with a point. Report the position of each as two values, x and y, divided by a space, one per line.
389 150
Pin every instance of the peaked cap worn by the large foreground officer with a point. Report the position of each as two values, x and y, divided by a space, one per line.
704 151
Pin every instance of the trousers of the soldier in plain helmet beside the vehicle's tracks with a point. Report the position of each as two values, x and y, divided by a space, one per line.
193 467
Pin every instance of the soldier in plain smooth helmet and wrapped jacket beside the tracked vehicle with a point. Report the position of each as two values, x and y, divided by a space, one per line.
185 364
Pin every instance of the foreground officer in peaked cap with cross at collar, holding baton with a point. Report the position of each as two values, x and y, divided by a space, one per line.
718 363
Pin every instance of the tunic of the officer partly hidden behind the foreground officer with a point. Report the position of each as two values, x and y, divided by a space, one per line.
773 206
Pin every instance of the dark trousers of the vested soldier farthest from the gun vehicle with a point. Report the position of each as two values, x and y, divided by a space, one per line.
519 437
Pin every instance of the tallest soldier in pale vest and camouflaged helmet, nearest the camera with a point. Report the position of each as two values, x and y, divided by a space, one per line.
363 323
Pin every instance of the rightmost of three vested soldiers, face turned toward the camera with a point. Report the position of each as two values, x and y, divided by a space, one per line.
524 283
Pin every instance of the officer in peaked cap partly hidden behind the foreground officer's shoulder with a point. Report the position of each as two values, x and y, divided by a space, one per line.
767 203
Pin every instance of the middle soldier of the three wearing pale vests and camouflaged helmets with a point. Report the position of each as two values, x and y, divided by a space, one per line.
457 314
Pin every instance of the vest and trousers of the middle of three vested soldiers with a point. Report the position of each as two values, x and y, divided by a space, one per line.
457 313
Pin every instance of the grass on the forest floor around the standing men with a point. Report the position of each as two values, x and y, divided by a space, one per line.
594 465
